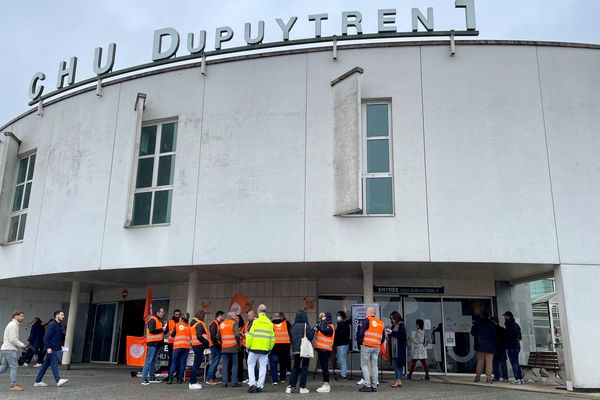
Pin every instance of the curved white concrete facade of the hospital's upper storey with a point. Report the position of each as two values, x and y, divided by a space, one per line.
495 161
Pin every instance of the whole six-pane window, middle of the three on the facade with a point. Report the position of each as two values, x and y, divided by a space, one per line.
154 180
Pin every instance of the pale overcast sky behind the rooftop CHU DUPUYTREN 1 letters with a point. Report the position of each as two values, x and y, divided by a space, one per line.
38 34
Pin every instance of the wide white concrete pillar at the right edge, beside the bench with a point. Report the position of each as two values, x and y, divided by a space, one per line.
579 302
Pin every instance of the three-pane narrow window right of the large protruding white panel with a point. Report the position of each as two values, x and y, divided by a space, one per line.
378 198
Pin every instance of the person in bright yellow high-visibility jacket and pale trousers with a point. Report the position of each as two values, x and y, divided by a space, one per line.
260 339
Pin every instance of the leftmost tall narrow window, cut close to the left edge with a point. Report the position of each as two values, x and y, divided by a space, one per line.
20 204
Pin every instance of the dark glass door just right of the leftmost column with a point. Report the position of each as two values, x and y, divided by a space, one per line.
104 342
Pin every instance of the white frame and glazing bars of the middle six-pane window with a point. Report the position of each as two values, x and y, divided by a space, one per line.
159 123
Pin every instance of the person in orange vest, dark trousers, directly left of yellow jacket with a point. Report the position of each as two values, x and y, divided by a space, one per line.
229 335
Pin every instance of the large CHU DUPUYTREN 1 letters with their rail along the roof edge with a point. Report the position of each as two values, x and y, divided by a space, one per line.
167 41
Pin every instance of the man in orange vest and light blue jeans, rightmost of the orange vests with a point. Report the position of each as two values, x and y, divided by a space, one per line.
369 337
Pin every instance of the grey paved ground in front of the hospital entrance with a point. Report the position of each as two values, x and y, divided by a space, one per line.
100 382
